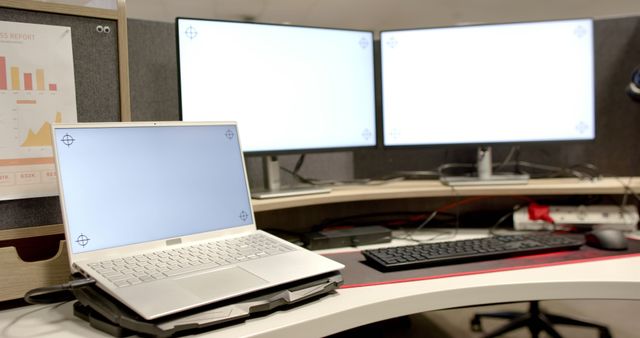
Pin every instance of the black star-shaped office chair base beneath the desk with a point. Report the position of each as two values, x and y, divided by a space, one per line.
536 320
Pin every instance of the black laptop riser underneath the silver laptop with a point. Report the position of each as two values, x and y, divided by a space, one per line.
106 314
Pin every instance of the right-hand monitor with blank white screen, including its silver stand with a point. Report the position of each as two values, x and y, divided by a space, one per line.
488 84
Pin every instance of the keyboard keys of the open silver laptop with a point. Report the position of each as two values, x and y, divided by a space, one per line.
172 262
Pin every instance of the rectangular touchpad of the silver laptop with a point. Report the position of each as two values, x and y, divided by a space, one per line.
221 283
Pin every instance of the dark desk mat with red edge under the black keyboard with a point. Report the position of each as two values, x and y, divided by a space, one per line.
357 273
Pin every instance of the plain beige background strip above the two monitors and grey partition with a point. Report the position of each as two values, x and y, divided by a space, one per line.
379 14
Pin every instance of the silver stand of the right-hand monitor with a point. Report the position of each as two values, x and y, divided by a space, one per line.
485 175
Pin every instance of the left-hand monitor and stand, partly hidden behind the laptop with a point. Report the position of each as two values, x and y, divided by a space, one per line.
292 89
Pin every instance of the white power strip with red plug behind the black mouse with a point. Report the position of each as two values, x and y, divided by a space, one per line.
595 216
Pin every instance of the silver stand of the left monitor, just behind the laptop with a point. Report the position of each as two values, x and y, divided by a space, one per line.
271 170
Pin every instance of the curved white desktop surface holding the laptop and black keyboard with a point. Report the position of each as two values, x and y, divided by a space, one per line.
617 278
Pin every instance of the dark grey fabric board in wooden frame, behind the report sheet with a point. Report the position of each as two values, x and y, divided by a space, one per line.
95 58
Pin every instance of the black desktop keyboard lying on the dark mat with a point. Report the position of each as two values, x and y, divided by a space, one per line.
460 251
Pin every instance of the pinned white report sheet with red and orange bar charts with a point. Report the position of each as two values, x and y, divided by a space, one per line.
37 88
